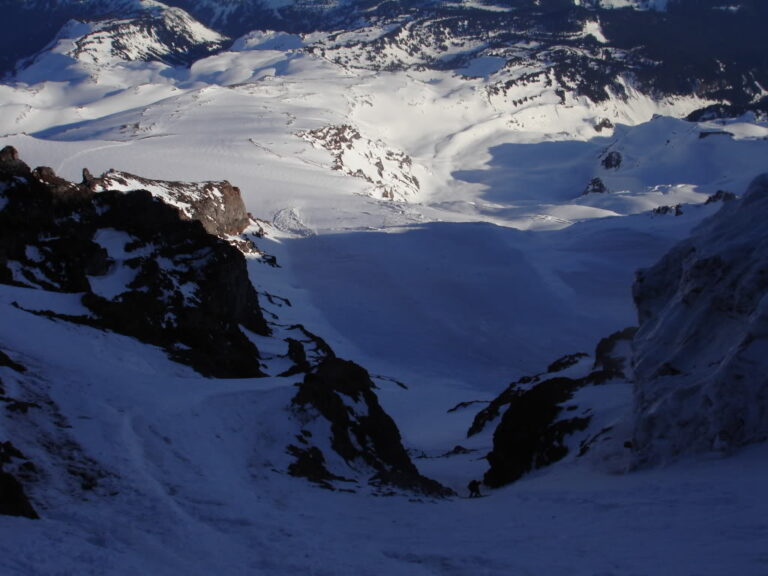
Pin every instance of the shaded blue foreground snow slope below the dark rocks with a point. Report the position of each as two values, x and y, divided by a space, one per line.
189 474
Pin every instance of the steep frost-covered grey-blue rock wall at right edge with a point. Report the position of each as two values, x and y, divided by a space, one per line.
700 354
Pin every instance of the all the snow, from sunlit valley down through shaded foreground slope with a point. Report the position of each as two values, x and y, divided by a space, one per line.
442 237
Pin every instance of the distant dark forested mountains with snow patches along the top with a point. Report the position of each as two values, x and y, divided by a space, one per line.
692 47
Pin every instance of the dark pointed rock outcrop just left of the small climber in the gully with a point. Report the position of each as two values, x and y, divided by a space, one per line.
340 394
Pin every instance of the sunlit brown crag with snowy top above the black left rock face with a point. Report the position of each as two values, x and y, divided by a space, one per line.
217 205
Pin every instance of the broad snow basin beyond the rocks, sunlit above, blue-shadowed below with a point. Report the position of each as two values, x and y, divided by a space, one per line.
240 116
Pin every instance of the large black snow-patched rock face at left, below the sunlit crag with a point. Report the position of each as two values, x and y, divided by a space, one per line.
143 270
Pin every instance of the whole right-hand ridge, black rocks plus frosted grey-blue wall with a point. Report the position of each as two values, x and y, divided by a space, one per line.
690 380
